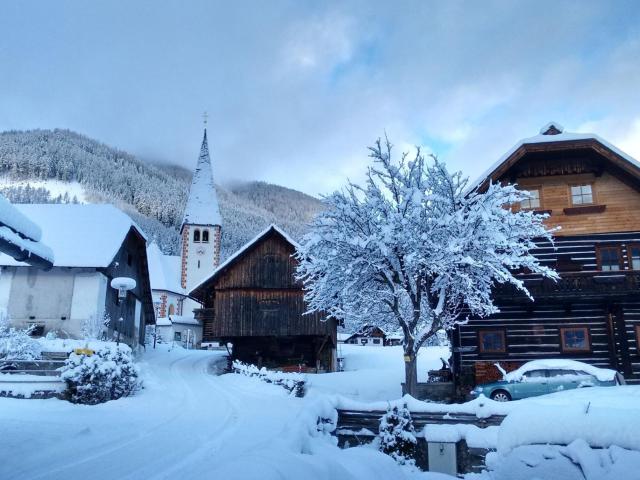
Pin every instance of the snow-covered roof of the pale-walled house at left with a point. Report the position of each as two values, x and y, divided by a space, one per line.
79 235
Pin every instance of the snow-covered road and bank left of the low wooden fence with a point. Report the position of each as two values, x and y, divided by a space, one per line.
186 423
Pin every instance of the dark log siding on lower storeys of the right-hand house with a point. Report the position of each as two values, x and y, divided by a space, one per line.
607 303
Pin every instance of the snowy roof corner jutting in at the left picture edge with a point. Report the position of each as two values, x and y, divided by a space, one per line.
21 238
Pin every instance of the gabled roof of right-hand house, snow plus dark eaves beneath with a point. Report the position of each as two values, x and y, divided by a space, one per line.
553 137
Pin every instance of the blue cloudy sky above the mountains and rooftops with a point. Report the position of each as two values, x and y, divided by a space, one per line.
297 90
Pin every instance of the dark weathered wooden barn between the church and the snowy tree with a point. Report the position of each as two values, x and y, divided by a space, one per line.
253 301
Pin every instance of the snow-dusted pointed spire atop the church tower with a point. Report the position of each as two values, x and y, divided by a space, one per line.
202 204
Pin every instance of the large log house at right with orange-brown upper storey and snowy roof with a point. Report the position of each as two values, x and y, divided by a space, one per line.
592 314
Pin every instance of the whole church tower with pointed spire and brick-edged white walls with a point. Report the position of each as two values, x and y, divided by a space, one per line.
202 224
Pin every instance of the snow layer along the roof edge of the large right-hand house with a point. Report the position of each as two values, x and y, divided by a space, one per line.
552 132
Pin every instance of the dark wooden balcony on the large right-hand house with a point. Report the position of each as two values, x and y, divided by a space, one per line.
574 285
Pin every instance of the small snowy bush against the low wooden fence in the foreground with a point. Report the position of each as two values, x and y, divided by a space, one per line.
397 435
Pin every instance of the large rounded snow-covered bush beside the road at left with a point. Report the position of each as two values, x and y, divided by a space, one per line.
106 375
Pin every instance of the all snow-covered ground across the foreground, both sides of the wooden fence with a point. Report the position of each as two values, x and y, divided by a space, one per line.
190 423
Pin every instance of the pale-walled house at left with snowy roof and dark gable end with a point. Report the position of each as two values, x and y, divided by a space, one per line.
92 244
